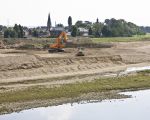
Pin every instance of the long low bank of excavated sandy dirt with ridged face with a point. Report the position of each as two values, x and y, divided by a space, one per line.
30 65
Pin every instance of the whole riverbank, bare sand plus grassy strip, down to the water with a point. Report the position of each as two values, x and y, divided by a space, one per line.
34 78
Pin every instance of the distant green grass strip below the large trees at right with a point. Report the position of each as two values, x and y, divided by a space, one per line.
122 39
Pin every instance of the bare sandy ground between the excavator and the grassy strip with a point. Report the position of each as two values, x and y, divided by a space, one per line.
23 68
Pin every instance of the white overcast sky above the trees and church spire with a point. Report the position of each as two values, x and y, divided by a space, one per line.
35 12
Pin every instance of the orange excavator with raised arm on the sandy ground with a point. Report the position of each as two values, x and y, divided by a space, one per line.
59 43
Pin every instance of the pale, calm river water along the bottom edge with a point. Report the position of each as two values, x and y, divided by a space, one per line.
135 108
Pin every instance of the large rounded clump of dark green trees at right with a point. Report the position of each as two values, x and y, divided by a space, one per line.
116 28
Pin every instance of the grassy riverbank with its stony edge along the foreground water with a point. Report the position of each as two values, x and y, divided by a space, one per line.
99 89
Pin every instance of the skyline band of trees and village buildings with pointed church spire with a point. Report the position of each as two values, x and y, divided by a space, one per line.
108 28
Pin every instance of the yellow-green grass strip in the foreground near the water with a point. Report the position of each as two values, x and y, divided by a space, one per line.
140 81
